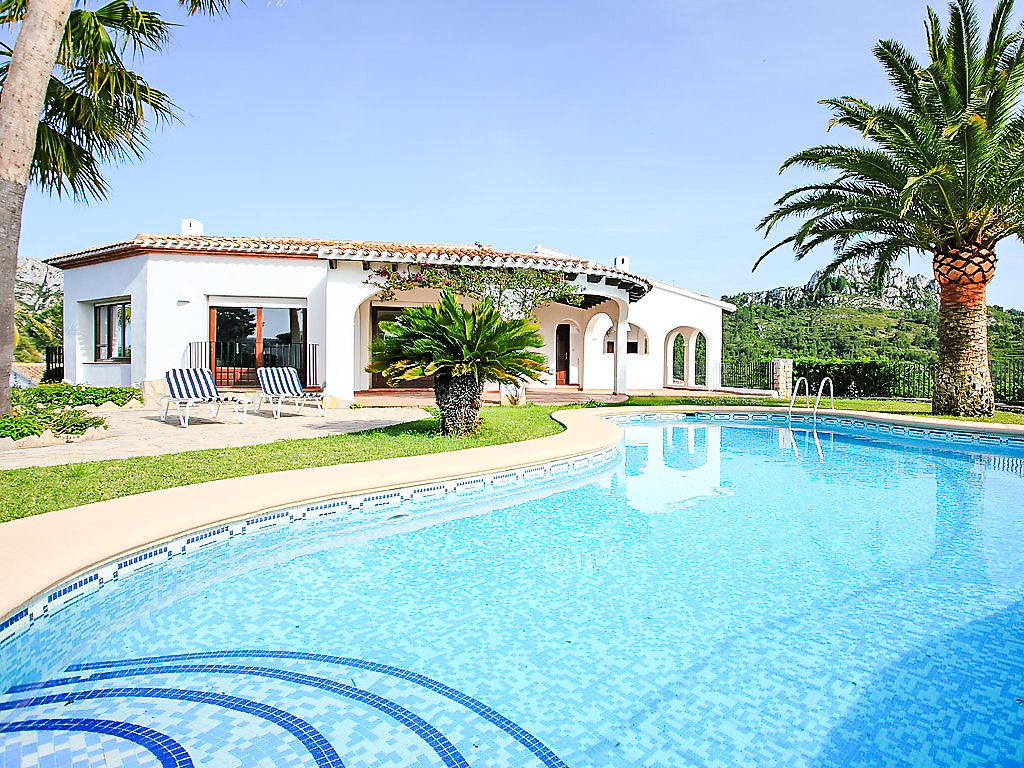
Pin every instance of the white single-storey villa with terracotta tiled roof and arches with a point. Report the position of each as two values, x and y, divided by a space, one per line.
137 309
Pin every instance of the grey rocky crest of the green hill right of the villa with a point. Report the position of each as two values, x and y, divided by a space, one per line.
850 286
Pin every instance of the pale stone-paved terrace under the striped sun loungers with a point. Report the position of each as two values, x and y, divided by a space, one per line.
140 433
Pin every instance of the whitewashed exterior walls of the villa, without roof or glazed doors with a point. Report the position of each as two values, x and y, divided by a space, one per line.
172 296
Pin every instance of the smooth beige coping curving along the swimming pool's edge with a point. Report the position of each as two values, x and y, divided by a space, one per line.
45 551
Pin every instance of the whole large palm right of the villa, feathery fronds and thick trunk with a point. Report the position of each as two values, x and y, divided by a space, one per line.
943 175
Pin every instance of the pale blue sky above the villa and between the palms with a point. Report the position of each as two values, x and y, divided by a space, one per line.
651 129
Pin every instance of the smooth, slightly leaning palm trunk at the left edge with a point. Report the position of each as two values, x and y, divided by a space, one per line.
24 93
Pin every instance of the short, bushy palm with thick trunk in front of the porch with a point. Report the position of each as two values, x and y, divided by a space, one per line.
462 350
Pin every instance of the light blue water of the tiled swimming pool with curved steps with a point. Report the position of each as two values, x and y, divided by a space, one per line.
729 595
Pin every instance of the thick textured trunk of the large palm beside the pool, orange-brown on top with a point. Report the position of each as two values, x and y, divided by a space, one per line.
963 380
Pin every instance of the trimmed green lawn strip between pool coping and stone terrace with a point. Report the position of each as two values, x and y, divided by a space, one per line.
37 490
